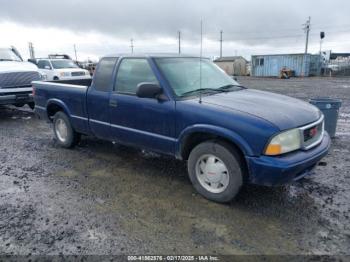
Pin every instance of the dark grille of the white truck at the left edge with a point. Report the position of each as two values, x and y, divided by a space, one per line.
18 79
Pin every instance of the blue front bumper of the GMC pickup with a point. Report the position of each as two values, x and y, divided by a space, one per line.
270 171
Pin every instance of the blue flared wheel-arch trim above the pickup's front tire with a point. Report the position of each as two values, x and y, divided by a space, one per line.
214 130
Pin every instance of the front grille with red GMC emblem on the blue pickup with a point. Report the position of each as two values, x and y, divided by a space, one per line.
312 134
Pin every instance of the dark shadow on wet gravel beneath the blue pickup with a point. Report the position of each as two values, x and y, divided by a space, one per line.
260 199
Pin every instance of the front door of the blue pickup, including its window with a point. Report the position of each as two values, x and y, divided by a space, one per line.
144 122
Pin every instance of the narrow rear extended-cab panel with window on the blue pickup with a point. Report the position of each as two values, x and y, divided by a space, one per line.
98 98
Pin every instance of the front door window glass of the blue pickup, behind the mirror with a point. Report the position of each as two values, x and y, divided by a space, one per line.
131 72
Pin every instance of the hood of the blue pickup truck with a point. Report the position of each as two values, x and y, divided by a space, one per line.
282 111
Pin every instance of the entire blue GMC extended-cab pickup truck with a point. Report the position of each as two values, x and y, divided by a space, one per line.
188 108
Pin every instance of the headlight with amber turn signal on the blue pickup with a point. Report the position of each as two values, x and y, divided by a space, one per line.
284 142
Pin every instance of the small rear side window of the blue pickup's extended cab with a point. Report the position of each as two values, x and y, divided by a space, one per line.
103 74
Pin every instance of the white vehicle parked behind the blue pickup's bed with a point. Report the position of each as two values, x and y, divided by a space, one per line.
62 69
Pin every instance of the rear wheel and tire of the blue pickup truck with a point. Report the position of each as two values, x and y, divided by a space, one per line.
64 132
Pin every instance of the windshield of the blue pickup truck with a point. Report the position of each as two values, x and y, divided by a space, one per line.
184 77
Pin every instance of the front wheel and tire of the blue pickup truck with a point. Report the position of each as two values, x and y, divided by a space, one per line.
213 161
